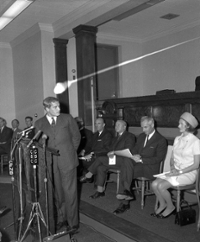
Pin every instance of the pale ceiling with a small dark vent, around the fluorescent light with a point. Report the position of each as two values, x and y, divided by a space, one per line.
137 20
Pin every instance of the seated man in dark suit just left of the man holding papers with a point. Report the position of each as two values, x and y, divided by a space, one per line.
98 145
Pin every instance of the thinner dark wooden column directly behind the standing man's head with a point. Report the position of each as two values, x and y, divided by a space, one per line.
61 71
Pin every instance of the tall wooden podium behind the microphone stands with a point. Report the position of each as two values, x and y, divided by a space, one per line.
25 182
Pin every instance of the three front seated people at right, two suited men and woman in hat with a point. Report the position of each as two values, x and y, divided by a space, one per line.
147 153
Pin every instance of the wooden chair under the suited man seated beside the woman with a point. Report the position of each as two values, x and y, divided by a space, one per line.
145 186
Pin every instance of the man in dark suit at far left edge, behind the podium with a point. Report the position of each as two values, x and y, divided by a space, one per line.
5 137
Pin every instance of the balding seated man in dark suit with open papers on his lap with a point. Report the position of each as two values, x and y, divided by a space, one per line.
123 140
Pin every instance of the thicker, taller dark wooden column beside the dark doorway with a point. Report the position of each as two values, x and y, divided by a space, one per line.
85 54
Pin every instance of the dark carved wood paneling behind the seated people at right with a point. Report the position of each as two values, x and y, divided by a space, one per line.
165 109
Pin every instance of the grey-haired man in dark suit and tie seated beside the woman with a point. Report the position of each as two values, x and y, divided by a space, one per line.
149 151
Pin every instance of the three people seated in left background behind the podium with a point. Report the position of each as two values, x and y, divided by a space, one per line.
9 135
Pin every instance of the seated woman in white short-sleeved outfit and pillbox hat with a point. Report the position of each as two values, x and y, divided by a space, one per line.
184 163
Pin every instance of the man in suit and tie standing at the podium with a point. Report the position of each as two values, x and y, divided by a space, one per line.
62 134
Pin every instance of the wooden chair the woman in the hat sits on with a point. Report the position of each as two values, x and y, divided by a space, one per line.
192 189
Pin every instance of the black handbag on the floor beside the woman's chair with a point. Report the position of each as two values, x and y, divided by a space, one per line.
185 216
